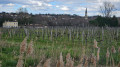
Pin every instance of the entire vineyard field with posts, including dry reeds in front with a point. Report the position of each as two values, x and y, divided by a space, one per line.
60 47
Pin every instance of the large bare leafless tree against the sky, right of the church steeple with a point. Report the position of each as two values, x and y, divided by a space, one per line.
107 9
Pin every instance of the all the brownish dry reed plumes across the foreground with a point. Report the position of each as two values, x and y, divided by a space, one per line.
69 61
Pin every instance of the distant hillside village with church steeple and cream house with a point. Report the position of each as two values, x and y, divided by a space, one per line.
50 20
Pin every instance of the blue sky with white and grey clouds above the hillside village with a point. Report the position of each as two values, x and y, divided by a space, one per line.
58 6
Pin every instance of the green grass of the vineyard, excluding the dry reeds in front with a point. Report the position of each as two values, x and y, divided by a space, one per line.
47 47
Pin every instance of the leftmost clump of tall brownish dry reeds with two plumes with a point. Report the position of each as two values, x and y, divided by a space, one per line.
24 52
